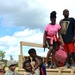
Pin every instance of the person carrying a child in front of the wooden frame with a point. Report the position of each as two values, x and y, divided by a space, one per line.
34 65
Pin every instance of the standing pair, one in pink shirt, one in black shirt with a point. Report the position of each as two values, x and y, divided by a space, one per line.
66 38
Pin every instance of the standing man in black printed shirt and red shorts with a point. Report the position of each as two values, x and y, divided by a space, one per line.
68 35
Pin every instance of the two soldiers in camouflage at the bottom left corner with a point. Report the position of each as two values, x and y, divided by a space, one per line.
11 68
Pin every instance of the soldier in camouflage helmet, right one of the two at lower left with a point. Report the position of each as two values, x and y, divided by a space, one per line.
11 65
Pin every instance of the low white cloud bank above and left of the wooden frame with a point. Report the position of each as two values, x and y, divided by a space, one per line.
11 44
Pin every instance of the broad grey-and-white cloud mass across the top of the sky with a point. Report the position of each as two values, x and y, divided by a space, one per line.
32 14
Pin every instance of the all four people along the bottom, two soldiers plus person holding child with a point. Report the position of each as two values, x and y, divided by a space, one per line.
32 66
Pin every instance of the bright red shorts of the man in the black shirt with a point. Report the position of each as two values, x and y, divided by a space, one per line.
69 47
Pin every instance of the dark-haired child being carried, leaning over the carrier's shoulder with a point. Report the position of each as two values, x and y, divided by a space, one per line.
39 68
